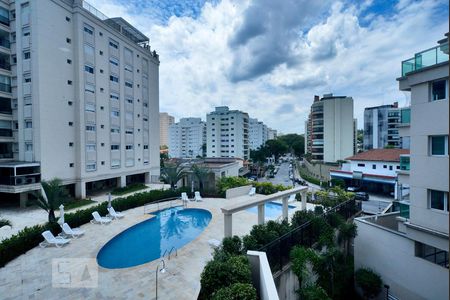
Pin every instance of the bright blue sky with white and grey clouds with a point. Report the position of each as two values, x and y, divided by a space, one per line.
269 58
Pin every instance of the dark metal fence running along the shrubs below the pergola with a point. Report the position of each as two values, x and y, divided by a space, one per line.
278 251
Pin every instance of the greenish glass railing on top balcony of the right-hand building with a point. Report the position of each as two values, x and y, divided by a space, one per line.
426 58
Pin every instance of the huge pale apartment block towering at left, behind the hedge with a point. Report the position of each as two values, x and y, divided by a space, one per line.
80 98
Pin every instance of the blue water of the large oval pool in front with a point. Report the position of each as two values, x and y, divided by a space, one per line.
148 240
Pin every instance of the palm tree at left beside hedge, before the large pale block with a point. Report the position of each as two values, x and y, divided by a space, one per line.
55 195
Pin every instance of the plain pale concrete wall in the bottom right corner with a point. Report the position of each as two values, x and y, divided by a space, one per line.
392 255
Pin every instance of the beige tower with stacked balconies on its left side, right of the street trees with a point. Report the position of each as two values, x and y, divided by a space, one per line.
330 131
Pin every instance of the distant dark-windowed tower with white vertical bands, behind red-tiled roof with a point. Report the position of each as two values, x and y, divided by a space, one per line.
381 127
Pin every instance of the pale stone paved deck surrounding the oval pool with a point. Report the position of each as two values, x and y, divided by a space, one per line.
30 275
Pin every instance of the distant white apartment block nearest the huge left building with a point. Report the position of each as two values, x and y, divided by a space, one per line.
186 138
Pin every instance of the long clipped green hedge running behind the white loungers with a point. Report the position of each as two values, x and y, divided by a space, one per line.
30 237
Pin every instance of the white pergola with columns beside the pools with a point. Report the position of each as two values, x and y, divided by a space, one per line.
260 200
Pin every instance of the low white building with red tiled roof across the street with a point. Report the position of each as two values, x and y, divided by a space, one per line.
374 170
